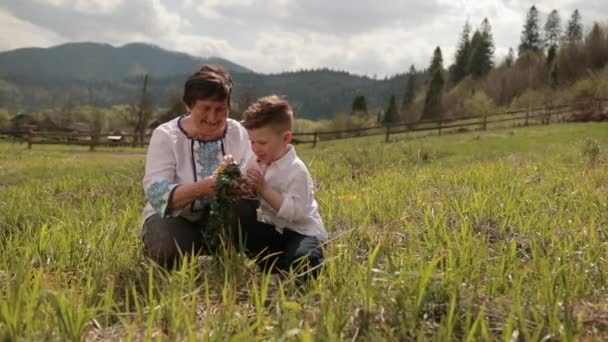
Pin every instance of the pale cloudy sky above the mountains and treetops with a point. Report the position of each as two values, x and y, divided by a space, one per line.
378 37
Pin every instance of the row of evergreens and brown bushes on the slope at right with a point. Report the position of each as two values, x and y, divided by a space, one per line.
554 62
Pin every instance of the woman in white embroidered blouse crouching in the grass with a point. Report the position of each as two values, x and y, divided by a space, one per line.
182 157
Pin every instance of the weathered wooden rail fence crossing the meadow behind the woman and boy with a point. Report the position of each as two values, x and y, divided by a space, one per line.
530 116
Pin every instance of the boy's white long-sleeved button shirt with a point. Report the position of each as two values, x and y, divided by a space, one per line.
299 211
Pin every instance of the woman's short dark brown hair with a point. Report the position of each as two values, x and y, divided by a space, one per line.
211 82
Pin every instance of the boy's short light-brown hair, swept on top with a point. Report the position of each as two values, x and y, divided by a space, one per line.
271 110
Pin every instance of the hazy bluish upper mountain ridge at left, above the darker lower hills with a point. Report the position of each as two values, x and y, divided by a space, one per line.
101 62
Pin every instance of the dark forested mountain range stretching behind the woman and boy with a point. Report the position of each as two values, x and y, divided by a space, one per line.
103 75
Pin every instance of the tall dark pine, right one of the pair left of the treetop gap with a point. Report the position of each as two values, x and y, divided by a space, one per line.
482 51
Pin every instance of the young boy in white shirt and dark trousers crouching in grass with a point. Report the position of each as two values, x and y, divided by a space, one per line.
288 230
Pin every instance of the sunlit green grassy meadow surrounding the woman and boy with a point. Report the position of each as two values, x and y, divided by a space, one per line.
498 235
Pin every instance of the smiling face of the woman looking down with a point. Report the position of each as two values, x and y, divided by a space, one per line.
209 116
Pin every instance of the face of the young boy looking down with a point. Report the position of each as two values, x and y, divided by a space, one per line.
267 144
